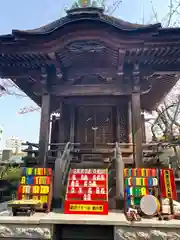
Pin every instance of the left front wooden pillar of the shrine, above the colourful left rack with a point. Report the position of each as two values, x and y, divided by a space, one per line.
44 129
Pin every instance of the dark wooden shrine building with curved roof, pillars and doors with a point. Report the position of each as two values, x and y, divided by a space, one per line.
99 72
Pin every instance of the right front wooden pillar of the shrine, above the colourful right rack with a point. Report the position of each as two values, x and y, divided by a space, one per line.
136 118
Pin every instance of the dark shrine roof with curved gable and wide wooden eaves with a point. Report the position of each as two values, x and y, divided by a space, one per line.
24 53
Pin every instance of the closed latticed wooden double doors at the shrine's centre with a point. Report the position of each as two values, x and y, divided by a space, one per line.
94 125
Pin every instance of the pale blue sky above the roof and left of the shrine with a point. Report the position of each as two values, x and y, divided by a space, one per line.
22 14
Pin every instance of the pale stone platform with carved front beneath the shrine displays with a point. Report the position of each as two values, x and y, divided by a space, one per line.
42 226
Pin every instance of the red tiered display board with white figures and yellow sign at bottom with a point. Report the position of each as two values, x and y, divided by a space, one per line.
87 192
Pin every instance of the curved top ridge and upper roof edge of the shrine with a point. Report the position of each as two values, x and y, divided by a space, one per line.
86 10
